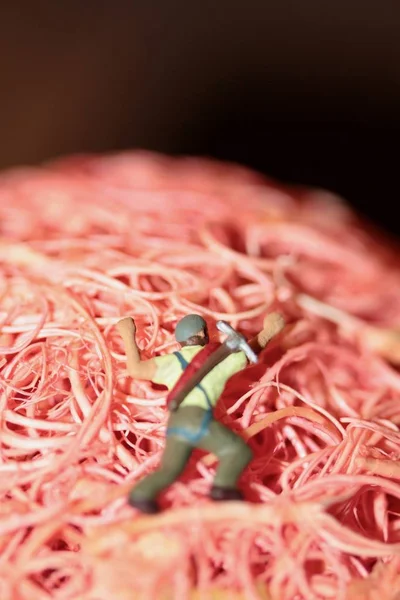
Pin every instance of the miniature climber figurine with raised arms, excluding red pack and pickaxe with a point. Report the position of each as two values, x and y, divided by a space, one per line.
192 424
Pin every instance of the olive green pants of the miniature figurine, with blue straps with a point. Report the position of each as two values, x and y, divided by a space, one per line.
192 427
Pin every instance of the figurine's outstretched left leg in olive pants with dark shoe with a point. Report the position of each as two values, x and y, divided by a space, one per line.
176 455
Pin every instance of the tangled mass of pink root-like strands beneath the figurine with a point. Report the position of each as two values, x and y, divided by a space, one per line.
87 240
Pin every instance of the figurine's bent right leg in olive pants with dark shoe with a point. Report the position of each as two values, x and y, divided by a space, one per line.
233 454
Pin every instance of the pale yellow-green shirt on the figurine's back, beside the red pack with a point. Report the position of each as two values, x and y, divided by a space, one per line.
169 370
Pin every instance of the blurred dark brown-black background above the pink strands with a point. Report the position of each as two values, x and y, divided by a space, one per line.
307 91
